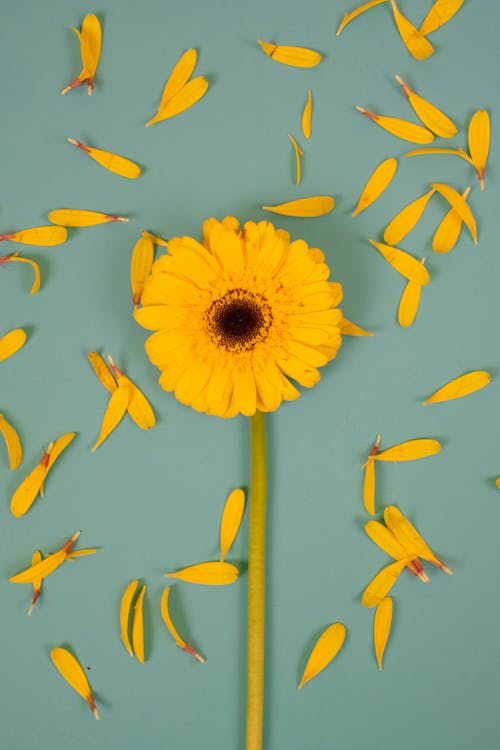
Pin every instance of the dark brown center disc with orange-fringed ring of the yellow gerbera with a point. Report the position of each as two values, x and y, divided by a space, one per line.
238 320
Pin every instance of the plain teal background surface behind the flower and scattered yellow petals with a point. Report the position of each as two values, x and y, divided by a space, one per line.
152 501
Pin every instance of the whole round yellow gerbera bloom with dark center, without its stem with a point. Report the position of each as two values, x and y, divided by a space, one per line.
238 315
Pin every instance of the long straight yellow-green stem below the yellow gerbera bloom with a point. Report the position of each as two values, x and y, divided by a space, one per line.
256 584
